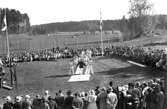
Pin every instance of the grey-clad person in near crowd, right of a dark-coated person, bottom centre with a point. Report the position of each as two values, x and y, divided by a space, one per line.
77 102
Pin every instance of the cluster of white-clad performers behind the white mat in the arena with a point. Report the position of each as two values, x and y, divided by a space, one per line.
82 64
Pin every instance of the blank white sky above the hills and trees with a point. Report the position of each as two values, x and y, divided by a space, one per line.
47 11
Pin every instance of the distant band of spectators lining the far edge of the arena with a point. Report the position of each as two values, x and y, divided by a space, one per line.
148 56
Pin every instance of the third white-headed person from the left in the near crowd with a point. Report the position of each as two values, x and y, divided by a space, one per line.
26 103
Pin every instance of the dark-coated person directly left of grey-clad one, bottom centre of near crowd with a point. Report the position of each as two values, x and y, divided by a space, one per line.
68 101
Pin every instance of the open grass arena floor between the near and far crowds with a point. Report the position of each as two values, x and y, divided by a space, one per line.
36 77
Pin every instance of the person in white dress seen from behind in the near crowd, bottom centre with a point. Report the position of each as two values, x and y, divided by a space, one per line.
92 100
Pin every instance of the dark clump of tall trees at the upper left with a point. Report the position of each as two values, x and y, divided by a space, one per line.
17 22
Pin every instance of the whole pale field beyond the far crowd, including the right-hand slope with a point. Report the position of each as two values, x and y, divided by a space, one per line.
23 42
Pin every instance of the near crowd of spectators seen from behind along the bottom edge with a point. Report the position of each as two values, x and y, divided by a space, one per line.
138 95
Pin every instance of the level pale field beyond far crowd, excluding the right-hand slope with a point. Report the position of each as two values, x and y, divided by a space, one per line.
71 39
